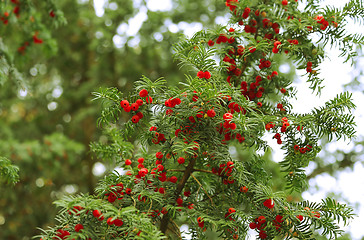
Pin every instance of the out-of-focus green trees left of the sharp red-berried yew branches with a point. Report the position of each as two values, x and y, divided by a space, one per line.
47 119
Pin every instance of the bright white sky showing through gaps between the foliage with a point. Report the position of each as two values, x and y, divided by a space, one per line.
335 73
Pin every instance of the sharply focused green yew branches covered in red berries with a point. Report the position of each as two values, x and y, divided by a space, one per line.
182 170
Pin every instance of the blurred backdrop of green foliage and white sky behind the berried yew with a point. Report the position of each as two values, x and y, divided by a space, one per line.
48 120
